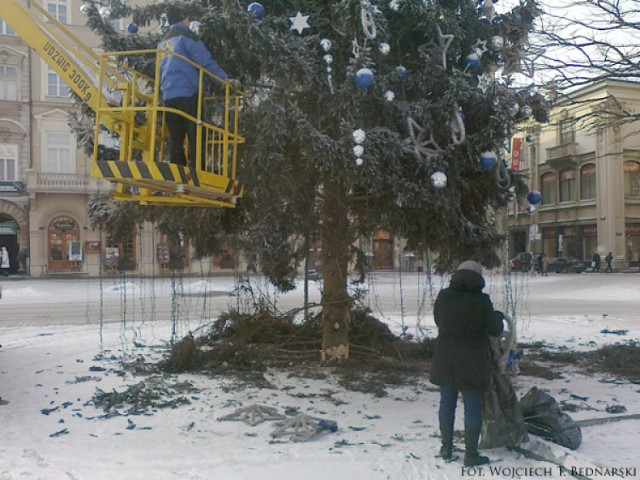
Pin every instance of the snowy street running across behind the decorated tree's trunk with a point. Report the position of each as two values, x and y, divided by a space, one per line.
391 294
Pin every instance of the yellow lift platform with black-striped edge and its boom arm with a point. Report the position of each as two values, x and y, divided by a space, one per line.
127 105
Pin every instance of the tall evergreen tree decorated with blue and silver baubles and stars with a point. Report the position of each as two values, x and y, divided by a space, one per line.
365 115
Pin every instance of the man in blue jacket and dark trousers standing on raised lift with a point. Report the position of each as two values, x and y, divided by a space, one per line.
179 82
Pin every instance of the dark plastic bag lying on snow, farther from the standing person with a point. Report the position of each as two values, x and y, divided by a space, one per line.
543 418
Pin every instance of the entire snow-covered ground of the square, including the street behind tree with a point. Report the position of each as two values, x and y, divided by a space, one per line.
65 340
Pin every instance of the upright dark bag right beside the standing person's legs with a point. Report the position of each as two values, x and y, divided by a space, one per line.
502 421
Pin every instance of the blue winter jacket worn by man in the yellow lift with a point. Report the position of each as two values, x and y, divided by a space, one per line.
179 79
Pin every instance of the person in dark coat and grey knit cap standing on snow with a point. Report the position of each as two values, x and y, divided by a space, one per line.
461 362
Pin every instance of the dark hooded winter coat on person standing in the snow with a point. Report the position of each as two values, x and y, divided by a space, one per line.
465 318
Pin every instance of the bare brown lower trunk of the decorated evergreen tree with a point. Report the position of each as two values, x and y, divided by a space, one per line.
336 244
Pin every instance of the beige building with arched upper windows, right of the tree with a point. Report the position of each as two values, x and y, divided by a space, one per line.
586 164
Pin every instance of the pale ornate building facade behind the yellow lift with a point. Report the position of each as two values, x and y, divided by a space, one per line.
45 186
